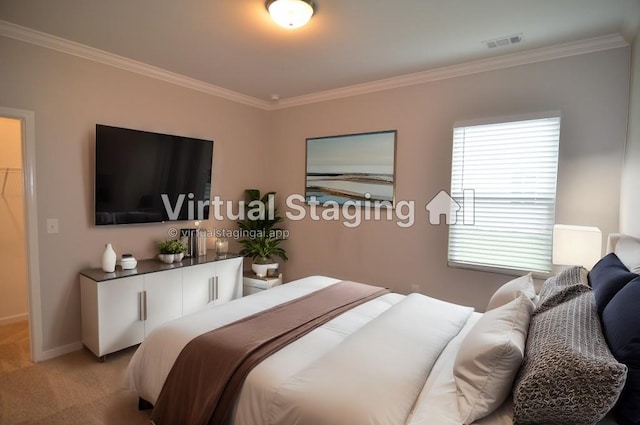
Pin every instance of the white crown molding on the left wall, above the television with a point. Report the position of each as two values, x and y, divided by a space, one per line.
49 41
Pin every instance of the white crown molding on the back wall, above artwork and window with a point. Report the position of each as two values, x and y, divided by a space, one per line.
611 41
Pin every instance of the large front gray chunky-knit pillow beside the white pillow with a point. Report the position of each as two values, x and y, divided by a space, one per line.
569 376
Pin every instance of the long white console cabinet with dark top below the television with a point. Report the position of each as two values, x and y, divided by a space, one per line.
119 309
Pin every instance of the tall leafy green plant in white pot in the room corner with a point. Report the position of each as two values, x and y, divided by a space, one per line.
261 237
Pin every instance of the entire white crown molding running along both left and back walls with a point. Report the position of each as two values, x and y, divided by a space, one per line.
18 32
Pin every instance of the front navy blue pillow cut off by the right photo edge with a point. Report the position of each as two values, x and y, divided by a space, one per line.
621 324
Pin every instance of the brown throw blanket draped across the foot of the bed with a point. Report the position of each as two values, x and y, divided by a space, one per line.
208 374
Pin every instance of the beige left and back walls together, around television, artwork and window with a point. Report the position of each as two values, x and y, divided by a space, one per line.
70 95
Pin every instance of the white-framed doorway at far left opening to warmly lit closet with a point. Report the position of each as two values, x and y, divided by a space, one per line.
20 308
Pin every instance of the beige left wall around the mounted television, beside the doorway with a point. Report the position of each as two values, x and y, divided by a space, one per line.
68 96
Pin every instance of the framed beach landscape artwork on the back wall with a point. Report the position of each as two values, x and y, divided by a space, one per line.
354 168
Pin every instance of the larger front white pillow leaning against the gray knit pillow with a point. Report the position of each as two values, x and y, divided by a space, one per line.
490 357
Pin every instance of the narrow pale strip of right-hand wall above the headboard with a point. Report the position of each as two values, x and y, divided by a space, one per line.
630 202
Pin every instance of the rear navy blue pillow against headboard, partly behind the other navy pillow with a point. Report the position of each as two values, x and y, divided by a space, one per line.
608 277
